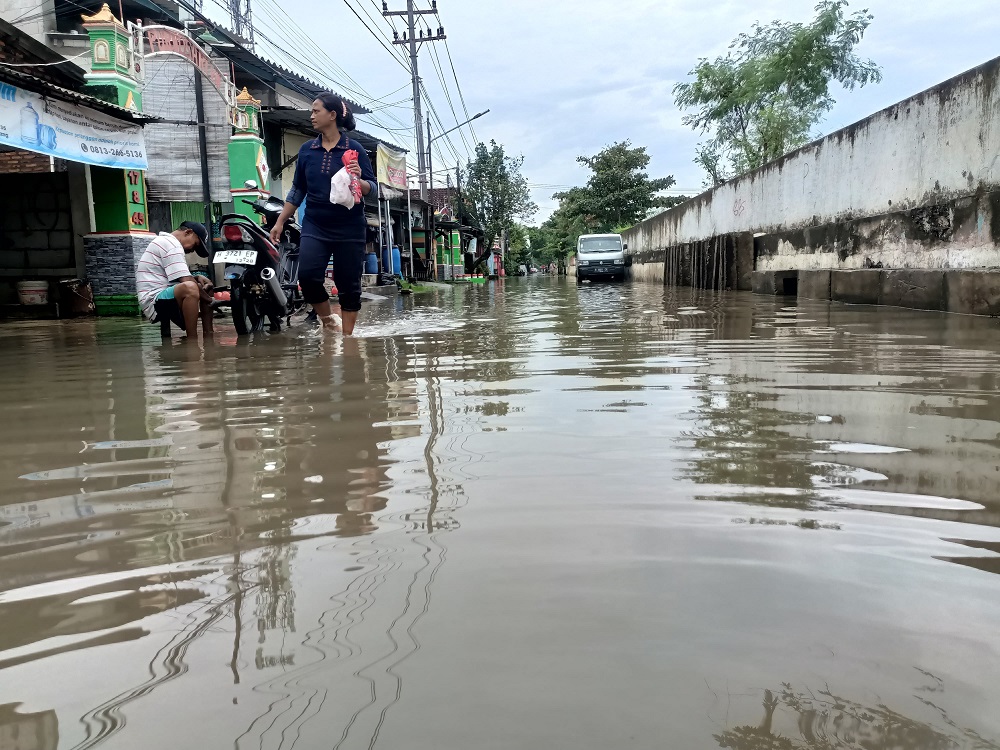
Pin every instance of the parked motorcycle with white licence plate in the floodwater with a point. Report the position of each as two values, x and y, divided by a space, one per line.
263 279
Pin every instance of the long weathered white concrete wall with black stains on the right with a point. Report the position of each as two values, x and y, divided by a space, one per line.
916 185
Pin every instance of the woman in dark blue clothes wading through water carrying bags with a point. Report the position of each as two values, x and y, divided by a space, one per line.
329 229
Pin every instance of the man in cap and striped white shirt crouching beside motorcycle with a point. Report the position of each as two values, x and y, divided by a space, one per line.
166 287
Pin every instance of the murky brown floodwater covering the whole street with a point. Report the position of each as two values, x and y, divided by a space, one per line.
521 515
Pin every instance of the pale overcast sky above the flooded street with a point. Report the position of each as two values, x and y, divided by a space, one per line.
563 78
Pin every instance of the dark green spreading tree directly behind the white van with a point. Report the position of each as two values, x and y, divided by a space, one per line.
619 192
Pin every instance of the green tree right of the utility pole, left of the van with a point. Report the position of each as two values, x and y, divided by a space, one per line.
495 193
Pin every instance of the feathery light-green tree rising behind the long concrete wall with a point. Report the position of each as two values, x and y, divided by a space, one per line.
764 97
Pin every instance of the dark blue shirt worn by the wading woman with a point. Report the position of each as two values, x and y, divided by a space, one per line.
315 168
